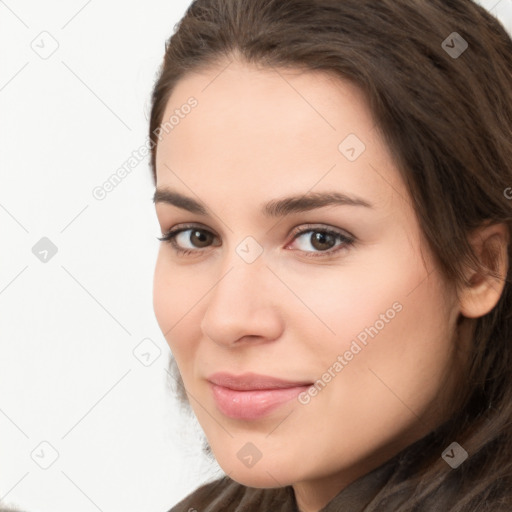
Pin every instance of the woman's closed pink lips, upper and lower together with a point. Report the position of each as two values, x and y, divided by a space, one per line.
252 396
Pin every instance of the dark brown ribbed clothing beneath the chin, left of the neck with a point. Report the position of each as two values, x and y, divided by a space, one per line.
226 495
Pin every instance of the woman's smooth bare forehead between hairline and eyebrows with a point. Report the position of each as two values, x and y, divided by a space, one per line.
273 129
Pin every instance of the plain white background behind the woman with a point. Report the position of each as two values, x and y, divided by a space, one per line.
69 326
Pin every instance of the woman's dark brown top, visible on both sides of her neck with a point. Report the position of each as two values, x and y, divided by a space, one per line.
226 495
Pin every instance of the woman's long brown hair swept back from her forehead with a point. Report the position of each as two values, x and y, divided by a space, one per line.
447 119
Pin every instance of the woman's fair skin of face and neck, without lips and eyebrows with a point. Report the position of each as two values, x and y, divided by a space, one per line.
258 135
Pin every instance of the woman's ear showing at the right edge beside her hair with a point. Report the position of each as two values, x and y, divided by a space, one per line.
490 243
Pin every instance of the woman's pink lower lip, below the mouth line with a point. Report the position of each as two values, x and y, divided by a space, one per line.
251 405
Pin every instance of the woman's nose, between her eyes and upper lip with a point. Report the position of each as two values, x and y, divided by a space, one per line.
243 306
